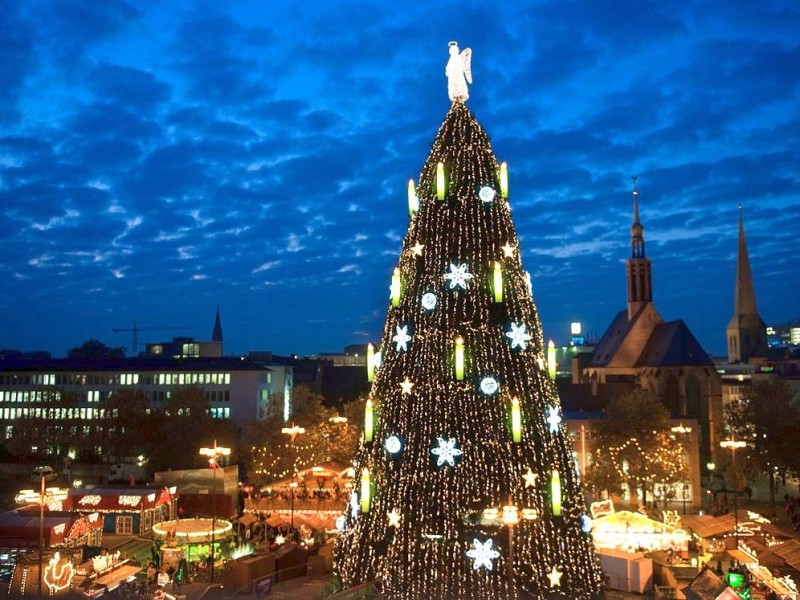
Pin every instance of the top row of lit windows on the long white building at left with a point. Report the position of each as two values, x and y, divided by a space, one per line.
115 379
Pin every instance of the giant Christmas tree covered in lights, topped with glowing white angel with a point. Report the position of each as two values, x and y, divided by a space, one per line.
466 483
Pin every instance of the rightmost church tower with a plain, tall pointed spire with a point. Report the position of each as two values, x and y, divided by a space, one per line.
747 333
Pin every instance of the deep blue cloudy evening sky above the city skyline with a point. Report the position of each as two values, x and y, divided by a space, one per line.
161 158
